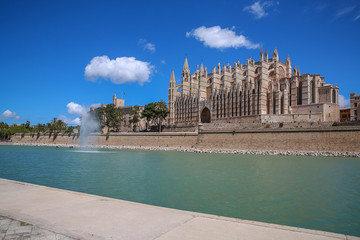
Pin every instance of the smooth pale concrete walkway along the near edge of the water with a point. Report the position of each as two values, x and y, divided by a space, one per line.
83 216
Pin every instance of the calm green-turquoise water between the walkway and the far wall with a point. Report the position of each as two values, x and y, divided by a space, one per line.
311 192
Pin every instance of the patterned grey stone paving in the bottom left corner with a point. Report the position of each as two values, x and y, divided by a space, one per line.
12 229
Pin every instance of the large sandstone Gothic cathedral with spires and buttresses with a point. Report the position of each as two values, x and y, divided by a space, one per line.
257 92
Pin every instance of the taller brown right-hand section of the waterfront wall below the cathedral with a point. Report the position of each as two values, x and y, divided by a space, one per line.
335 140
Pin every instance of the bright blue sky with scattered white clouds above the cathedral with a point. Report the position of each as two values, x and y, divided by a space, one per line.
131 47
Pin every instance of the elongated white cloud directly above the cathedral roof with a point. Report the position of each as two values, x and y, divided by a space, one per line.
217 37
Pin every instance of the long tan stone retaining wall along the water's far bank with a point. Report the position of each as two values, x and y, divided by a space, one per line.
336 139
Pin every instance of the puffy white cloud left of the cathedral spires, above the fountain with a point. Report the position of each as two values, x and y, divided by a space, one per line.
120 70
